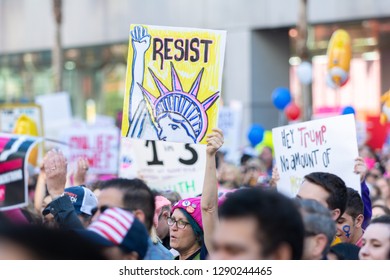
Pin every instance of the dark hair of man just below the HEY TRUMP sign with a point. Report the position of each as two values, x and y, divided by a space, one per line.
334 185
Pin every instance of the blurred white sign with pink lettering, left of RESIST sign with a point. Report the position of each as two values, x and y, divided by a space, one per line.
97 144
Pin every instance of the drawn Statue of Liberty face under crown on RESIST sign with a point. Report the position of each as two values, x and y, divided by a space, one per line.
174 128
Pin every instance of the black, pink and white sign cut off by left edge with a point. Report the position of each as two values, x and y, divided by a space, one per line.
14 151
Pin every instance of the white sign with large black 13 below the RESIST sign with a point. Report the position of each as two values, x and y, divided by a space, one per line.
164 166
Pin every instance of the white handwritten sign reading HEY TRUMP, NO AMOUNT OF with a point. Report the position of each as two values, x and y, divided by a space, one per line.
325 145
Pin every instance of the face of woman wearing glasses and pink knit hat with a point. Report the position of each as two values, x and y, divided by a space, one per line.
181 239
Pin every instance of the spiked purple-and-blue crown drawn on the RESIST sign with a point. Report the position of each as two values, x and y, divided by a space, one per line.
179 102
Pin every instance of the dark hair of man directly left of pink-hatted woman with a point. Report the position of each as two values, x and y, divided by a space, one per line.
136 196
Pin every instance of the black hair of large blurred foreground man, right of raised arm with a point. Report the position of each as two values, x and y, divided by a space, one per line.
278 220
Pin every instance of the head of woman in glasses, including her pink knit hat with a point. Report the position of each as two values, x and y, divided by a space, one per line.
185 226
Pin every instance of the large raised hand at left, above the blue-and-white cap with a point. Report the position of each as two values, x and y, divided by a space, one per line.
55 166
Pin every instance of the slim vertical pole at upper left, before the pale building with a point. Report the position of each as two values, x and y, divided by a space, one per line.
57 49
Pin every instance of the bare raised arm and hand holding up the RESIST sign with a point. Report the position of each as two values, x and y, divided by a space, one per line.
209 200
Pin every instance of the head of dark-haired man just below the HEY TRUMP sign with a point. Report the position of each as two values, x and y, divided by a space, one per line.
328 189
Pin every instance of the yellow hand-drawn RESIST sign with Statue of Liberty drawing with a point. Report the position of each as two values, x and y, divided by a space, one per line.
173 83
